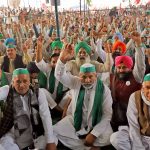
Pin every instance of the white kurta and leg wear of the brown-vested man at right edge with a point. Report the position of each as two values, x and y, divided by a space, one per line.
131 138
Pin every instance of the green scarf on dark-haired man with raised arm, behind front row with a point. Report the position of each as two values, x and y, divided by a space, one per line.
59 91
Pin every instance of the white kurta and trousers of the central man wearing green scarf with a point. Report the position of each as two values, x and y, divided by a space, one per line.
65 130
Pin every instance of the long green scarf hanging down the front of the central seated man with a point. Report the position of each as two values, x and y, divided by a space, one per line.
97 106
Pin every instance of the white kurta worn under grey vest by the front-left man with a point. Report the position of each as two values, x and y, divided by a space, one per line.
7 141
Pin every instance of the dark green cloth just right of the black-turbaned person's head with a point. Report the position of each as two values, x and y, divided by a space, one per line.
42 79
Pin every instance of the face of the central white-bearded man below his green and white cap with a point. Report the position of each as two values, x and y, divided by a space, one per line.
87 79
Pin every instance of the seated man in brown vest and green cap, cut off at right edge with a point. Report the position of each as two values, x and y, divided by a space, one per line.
137 136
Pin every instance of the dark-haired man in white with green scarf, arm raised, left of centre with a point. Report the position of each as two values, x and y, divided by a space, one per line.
55 88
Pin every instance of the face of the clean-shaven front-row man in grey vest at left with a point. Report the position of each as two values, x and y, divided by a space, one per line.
21 83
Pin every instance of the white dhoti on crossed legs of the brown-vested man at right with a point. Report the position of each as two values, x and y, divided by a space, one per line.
121 140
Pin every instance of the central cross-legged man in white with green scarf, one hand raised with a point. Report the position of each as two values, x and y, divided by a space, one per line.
88 124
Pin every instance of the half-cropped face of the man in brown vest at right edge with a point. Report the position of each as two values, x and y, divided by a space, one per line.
146 89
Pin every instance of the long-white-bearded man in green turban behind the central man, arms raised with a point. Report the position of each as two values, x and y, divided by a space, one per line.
82 52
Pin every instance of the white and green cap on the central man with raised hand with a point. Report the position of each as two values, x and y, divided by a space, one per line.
87 67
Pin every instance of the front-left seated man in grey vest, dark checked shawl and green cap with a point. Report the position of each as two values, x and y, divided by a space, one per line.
26 110
